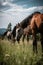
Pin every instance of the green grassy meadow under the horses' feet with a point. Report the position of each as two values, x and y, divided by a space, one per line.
19 54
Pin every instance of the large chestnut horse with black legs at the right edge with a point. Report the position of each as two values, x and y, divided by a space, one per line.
36 26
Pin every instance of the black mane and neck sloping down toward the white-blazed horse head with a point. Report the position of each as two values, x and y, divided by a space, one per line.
26 21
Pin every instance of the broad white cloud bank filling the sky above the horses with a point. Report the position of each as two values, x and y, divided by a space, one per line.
16 14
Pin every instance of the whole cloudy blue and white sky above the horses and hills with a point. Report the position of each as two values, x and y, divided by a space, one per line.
15 11
